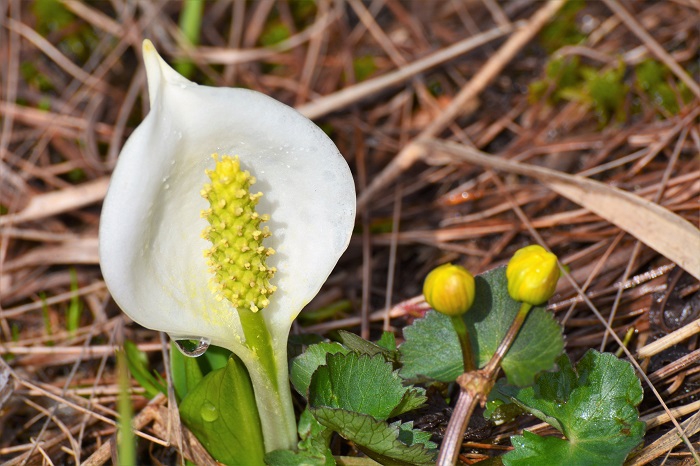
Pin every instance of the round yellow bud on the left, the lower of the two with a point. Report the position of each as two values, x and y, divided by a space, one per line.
449 289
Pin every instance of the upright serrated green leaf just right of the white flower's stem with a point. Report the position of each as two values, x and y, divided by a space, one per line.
360 383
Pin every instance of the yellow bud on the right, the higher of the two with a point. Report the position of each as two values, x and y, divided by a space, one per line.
532 275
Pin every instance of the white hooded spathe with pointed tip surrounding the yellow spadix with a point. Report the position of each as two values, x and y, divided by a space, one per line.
150 246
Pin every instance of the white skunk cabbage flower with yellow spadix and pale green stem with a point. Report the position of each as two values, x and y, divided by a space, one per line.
226 212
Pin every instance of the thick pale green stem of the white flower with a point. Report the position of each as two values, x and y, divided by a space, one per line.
267 366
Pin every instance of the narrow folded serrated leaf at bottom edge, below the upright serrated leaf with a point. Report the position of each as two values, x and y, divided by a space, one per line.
377 439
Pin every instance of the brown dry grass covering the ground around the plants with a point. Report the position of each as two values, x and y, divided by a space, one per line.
382 77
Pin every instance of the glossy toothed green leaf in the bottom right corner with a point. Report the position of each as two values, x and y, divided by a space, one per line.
593 405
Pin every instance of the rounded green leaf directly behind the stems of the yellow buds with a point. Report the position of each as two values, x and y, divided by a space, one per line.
431 350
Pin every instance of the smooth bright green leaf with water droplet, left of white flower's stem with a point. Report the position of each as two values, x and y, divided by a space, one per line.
222 413
